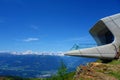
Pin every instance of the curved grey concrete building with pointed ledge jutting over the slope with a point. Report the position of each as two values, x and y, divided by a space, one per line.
106 33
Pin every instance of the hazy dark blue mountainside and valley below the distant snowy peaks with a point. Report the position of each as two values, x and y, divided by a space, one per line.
36 65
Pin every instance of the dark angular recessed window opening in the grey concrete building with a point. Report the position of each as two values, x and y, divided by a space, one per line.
101 33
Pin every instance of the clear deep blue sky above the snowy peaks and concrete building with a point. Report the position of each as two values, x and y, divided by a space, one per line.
50 25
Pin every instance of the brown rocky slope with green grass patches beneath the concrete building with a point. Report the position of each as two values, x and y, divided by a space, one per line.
99 71
